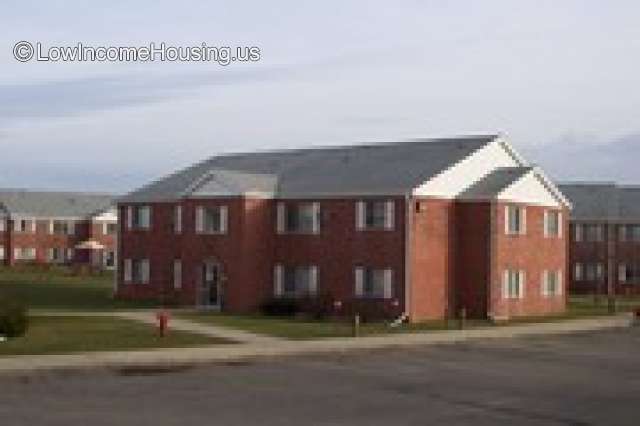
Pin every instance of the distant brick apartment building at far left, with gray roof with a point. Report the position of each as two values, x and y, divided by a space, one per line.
57 228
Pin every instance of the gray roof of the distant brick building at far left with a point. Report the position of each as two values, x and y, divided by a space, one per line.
16 202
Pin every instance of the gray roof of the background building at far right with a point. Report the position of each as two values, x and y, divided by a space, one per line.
603 201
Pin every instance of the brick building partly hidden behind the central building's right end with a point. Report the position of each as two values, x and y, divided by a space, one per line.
605 238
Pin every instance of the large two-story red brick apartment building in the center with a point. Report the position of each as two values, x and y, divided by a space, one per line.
422 228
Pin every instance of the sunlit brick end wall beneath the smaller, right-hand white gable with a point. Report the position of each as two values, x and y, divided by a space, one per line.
532 253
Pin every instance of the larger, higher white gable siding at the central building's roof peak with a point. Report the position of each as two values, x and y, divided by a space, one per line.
462 175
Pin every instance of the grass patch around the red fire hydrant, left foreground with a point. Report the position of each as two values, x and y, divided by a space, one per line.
58 335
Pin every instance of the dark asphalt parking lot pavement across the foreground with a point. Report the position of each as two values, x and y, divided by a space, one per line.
584 379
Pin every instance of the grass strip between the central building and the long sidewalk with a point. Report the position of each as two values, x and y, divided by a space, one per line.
300 329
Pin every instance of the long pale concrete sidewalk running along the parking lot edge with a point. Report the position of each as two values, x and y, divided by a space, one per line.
278 347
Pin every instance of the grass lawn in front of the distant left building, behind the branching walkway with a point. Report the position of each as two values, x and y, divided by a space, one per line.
58 288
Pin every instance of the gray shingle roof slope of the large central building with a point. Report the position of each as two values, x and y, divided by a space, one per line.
383 168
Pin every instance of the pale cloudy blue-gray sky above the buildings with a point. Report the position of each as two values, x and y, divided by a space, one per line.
558 78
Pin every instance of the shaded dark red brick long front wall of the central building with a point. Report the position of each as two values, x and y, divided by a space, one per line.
251 248
